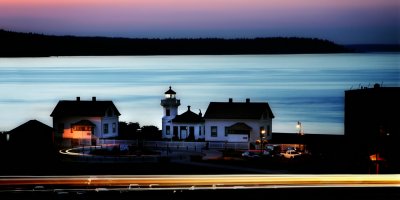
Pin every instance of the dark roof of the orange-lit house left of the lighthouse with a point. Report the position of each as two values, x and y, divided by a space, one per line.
92 108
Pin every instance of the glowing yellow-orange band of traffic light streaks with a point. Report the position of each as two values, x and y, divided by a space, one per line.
191 182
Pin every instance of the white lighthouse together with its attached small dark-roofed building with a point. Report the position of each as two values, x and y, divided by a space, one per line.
187 126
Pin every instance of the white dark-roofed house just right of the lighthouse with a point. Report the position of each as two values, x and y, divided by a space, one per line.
238 121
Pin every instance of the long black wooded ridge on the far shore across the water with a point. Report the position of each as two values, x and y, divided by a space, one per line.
16 44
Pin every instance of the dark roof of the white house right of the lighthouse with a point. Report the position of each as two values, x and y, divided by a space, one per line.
237 110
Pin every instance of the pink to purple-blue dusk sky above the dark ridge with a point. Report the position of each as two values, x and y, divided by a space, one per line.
341 21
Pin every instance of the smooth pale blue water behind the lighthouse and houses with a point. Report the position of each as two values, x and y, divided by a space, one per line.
306 88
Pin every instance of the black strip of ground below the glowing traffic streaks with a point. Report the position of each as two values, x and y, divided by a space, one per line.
320 193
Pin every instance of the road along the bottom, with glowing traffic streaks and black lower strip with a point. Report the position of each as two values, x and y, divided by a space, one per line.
232 187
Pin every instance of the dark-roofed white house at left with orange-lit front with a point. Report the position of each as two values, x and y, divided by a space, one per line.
82 122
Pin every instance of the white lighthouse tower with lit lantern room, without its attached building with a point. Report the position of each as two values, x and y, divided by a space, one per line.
170 105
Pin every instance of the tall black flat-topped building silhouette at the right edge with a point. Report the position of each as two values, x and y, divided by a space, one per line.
372 121
